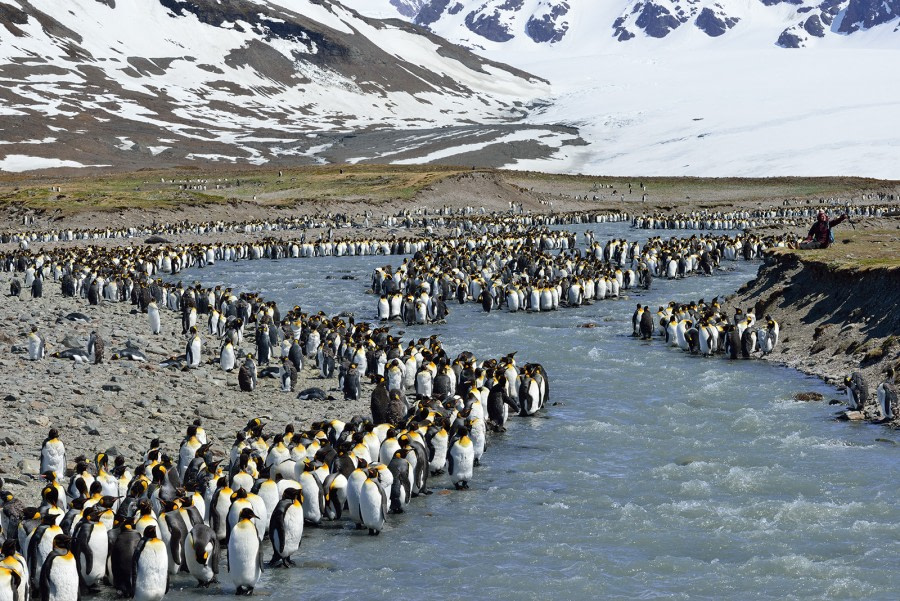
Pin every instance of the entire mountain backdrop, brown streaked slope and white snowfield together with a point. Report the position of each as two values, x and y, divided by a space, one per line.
637 87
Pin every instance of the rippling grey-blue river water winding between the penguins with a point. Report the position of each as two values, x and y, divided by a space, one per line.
658 474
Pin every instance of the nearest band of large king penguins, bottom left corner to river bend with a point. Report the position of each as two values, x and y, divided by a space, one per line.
178 513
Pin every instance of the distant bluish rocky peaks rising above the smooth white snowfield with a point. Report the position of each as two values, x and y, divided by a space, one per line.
787 23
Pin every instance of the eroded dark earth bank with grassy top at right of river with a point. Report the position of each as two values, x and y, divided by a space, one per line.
837 307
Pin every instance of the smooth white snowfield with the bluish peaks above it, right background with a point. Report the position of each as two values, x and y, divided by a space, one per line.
696 87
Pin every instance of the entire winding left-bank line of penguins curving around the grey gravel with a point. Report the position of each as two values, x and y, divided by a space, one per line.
136 527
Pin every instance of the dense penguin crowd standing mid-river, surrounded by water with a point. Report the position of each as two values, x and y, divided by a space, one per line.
543 271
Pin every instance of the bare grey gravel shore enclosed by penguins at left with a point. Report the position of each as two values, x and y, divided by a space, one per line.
119 406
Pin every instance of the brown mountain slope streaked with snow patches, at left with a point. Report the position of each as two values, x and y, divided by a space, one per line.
127 82
